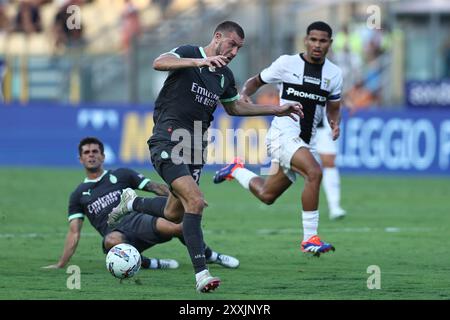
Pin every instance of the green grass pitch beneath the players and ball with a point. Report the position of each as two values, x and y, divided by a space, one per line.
400 224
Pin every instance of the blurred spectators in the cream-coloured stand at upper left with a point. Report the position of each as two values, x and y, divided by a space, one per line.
43 22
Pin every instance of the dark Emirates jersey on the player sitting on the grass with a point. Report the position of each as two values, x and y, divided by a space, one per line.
96 198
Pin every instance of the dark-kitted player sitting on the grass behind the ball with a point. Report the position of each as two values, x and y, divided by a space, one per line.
144 225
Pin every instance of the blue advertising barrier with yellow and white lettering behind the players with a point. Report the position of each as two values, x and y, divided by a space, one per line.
386 142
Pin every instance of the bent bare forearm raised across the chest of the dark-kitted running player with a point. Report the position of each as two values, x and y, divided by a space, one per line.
169 61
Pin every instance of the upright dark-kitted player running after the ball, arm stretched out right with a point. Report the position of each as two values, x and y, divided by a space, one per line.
198 79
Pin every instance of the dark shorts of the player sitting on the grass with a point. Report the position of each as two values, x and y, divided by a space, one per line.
140 231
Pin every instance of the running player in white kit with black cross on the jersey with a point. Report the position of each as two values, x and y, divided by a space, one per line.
314 81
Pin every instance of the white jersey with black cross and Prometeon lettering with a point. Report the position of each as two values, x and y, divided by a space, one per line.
310 84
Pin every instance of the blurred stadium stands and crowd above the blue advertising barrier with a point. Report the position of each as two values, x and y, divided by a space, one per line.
49 53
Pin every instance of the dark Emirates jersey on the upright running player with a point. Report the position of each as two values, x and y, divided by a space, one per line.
191 95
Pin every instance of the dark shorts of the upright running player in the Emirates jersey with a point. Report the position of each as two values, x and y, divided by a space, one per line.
168 170
